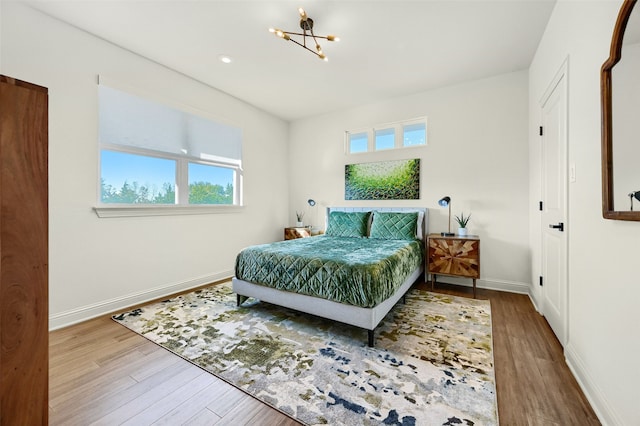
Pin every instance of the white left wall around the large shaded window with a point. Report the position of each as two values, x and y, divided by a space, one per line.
98 265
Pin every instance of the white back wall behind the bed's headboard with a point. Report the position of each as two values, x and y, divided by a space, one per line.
477 154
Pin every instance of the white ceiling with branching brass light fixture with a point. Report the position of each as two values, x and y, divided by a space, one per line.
387 48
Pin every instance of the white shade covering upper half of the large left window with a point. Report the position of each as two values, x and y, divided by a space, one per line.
132 121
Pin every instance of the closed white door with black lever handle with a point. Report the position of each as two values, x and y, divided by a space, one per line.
553 212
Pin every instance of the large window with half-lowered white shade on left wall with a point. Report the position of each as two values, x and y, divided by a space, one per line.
152 154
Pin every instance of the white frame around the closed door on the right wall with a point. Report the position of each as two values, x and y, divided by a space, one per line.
562 73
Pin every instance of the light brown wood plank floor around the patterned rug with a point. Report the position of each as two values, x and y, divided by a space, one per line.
101 373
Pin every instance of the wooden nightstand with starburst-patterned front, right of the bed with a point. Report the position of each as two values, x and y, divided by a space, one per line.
455 256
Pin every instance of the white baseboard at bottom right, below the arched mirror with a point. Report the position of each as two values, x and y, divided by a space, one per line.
592 392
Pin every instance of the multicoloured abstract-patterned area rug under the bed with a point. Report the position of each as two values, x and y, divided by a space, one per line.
432 363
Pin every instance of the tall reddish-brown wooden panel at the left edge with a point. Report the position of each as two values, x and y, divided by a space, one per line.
24 302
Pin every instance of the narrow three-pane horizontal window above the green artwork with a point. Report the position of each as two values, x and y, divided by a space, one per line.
402 134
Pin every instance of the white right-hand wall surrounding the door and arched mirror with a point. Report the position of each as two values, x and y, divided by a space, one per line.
604 332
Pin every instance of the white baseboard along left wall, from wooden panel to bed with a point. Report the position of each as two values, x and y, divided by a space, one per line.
74 316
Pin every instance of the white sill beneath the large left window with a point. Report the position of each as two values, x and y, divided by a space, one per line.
166 210
